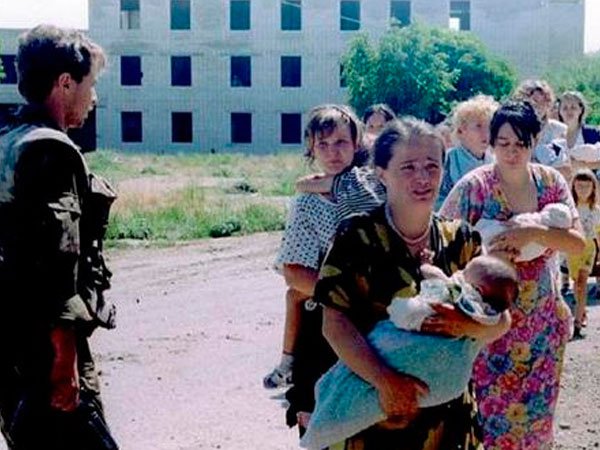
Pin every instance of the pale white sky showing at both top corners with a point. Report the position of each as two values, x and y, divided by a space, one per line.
73 13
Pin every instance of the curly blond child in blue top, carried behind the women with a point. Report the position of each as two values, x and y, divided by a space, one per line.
471 130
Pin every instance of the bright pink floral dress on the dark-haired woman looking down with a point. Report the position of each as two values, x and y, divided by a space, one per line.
517 377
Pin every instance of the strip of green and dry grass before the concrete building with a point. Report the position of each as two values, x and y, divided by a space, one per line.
167 198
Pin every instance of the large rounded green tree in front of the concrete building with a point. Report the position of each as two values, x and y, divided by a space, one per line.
423 71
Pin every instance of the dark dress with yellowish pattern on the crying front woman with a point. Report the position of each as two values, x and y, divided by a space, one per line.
368 265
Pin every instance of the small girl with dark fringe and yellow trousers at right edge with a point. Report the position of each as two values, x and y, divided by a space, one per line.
584 188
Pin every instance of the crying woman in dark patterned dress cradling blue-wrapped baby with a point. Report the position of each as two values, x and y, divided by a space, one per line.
374 258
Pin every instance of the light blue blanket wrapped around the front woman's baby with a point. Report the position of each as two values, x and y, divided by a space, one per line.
346 404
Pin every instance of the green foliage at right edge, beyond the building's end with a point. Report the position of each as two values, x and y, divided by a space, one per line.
581 75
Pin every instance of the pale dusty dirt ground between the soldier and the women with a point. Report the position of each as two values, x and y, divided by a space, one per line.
200 324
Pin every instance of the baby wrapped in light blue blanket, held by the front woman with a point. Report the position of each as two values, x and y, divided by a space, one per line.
346 404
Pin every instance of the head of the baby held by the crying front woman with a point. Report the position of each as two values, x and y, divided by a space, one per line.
494 279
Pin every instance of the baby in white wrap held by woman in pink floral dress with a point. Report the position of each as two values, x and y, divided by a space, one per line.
554 215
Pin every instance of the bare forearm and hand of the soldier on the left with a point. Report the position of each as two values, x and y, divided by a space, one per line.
64 377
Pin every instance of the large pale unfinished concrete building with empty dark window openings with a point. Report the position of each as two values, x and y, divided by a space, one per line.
238 75
